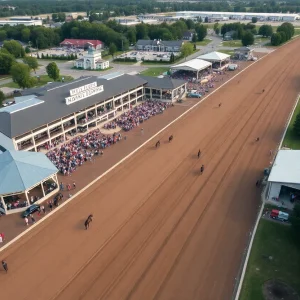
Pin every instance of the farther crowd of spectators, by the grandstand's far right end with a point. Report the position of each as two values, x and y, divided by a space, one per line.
138 115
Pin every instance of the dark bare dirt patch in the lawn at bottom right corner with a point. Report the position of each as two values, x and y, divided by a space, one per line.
277 290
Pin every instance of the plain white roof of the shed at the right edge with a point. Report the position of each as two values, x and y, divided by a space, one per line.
286 167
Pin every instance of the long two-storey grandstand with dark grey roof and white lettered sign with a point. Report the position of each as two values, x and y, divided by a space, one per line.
45 116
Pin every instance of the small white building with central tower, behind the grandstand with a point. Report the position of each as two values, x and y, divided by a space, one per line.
92 61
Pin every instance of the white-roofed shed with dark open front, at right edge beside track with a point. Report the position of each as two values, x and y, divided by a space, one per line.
284 178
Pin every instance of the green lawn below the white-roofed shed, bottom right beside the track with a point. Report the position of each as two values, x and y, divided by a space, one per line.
272 239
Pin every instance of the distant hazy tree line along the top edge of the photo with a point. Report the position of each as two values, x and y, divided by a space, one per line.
129 7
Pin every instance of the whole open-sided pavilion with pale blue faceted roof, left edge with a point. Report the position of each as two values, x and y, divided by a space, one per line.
25 178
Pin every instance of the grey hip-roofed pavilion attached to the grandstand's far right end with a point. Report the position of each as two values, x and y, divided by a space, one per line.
164 89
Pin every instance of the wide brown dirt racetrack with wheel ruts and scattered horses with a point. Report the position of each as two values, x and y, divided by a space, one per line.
161 230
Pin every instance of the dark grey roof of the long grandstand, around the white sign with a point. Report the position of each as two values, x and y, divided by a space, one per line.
18 121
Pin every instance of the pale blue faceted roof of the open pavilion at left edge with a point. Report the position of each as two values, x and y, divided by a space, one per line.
20 170
